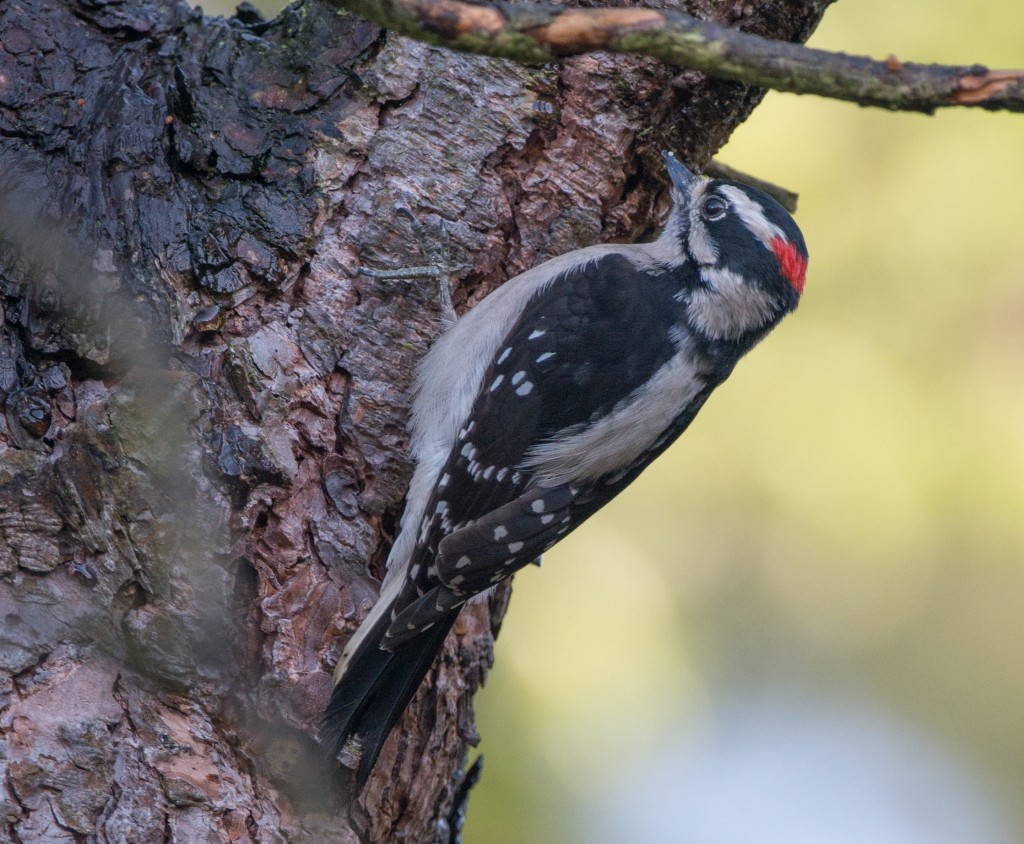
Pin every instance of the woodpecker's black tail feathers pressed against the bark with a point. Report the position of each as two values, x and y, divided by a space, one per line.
376 689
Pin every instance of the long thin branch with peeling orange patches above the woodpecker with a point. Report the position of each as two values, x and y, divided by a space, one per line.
541 33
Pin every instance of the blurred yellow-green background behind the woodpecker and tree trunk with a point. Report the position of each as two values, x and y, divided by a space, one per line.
806 622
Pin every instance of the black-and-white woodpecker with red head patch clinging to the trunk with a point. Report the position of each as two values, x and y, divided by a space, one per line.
543 403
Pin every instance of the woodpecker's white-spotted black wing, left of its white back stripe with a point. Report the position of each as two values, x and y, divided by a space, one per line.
589 340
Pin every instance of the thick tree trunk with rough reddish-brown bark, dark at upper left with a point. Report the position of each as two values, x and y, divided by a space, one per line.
202 446
